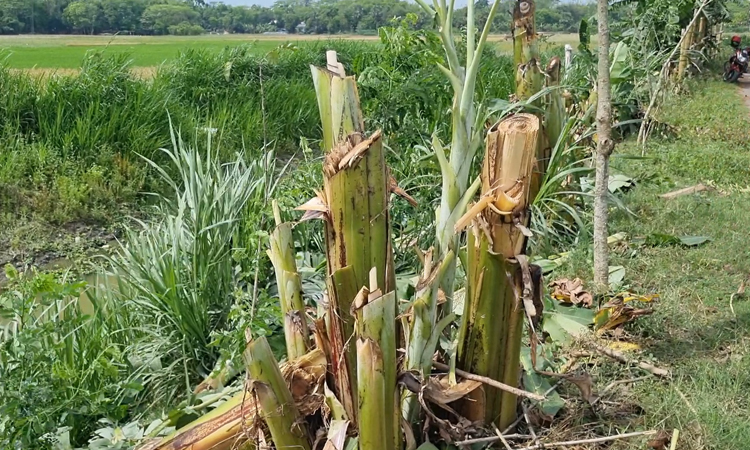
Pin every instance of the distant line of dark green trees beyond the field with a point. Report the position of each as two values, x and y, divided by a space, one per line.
184 17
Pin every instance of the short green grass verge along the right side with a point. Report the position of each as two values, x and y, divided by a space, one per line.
693 331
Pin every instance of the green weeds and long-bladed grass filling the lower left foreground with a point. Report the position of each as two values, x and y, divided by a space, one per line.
171 308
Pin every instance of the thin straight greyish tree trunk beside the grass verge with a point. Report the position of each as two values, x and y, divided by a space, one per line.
604 149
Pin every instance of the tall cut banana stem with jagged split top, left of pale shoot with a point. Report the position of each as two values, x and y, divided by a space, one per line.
354 205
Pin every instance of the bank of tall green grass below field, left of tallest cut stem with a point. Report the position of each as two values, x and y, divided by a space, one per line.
71 143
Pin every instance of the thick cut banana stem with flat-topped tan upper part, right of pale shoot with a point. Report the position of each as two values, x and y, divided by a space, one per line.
490 335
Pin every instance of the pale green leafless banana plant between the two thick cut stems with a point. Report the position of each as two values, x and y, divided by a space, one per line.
455 162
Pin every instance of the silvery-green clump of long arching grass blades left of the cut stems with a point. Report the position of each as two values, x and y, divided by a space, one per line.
175 273
